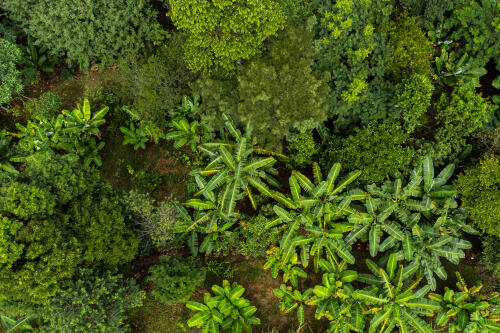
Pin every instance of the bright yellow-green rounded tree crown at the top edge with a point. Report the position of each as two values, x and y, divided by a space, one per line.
224 32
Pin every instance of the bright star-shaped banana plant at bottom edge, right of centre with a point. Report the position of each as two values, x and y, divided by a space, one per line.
394 300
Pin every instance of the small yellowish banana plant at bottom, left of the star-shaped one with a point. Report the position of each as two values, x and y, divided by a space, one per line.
334 300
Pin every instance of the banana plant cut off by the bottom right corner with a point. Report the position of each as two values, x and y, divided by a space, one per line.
465 310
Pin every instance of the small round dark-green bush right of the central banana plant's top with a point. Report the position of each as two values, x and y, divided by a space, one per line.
301 149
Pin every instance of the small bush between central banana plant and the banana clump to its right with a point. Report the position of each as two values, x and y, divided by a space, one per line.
255 238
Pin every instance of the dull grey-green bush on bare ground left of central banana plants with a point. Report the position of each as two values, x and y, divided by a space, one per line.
155 220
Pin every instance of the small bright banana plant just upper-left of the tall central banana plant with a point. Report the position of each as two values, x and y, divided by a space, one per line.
185 133
